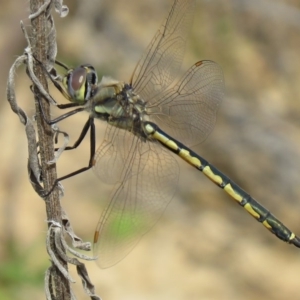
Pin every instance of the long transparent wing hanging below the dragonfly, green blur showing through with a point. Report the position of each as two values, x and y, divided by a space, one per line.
149 183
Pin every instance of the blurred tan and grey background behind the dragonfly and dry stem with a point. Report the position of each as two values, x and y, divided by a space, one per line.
205 246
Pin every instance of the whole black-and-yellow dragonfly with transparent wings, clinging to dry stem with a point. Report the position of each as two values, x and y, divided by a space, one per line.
150 121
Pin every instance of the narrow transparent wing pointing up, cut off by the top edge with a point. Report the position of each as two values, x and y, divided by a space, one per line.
161 61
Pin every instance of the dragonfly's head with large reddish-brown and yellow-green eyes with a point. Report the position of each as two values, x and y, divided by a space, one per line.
80 83
